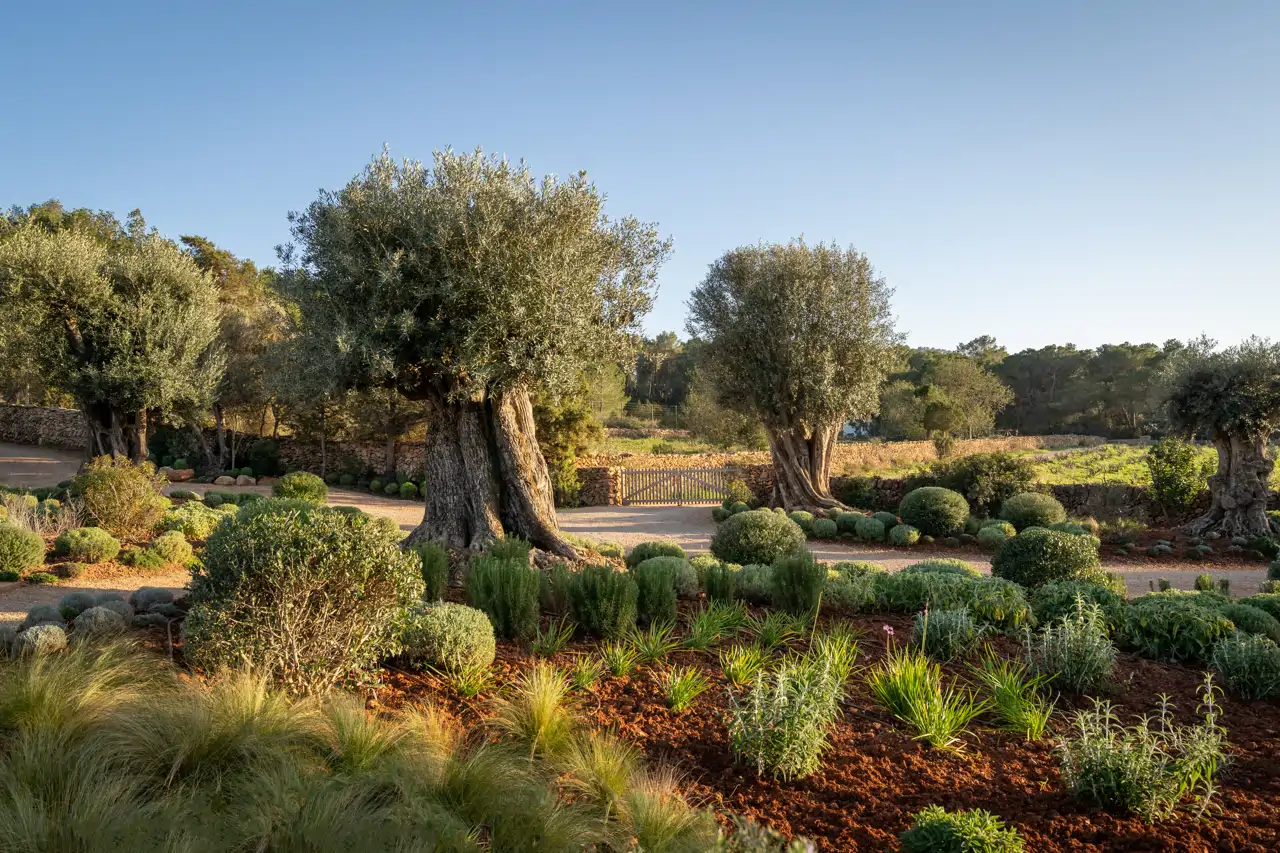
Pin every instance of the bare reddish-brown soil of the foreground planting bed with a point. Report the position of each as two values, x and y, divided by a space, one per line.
875 777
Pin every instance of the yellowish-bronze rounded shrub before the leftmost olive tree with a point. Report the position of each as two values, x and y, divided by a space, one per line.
121 498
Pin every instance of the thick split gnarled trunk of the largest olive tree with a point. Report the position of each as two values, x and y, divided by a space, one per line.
484 476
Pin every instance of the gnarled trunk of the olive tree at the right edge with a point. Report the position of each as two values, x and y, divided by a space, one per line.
1240 489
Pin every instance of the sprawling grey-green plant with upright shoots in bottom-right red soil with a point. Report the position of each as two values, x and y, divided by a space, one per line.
1149 769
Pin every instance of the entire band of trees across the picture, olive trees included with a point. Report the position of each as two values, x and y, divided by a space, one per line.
501 313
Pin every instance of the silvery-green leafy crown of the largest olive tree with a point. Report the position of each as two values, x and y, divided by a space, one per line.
468 275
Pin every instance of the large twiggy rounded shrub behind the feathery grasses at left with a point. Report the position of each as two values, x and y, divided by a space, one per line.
307 600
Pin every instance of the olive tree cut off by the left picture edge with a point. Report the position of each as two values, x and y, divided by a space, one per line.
126 323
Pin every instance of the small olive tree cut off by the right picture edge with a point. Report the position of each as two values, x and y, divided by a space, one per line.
1235 398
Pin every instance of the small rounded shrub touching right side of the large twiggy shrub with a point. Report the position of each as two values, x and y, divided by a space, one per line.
451 638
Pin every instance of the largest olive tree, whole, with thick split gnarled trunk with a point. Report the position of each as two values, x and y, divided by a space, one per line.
468 285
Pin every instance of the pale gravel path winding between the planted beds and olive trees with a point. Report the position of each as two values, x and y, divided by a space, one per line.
689 526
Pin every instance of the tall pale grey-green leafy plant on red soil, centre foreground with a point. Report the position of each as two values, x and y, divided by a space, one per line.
780 726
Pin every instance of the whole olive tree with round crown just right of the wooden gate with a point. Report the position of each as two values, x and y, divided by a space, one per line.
798 337
